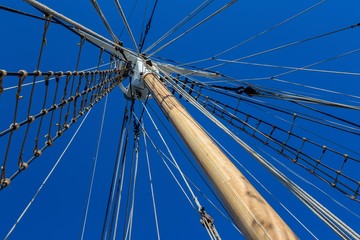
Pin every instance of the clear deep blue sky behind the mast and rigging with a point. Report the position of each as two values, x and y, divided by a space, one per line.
59 209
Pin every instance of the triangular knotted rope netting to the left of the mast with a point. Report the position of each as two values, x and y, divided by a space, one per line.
65 97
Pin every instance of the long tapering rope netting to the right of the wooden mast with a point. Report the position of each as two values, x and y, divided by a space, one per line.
332 164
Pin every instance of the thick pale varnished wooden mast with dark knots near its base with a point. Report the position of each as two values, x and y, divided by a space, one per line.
250 211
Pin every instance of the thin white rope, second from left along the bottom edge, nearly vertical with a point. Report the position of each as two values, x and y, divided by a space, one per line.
94 168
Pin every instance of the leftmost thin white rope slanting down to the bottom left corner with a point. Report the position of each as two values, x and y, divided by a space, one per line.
47 177
